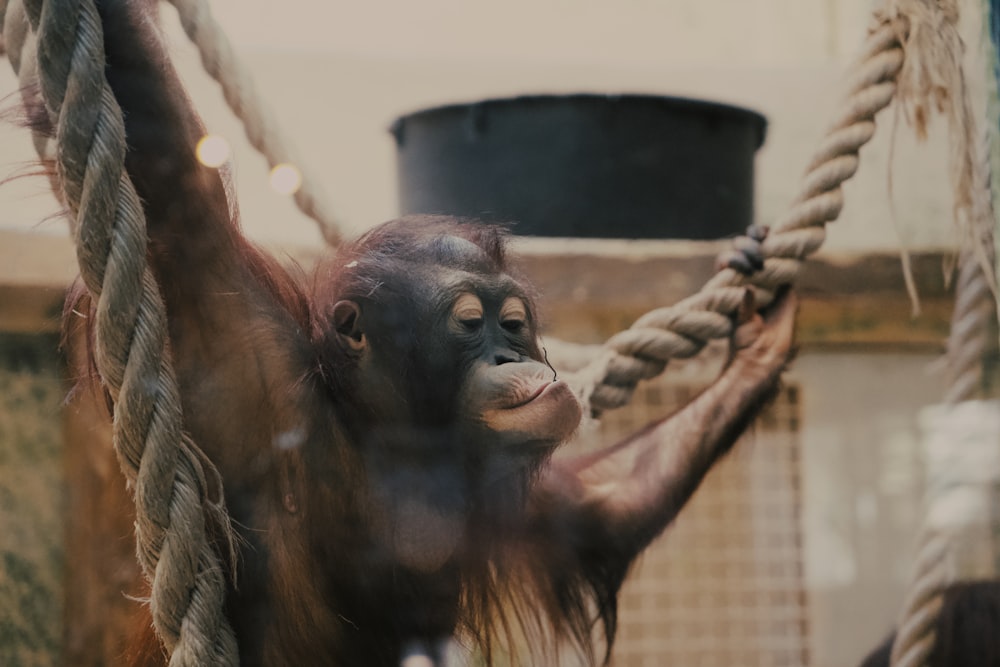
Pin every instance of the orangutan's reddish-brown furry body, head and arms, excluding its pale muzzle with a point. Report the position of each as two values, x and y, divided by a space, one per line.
320 418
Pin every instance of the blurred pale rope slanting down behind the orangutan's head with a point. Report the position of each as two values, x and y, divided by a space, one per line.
222 64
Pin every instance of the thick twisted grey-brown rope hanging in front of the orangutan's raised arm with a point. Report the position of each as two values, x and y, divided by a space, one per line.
165 469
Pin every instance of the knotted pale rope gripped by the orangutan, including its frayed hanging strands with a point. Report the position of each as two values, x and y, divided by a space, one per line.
928 80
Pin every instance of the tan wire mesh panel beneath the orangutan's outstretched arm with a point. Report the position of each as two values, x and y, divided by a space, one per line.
724 585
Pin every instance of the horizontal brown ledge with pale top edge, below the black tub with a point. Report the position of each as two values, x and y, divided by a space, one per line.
591 288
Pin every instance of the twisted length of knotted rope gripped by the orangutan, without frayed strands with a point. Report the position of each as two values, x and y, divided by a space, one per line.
682 330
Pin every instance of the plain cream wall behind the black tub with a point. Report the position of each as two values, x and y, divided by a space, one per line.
337 73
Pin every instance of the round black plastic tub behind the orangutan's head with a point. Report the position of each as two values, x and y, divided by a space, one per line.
621 166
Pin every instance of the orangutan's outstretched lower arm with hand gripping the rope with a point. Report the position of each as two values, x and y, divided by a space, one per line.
622 497
